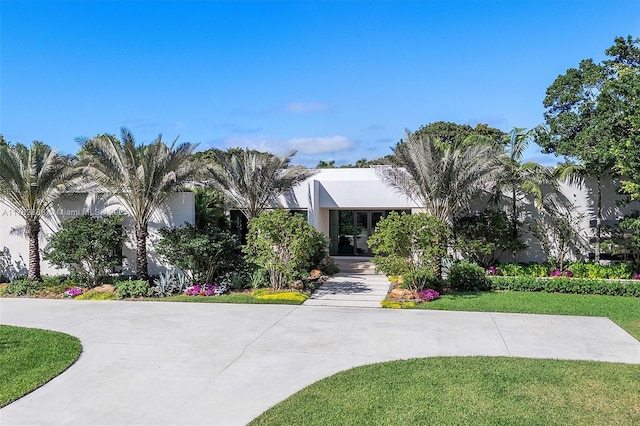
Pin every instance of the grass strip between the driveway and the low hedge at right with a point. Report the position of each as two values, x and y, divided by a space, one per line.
624 311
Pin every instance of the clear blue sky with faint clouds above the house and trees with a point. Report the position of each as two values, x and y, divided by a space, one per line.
336 80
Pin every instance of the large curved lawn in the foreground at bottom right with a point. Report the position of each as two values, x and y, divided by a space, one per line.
468 391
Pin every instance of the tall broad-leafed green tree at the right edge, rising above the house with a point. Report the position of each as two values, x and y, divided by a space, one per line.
590 112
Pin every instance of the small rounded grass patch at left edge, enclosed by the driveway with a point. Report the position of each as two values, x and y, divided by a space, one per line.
30 358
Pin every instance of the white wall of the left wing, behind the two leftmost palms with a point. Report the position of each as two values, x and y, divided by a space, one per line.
179 209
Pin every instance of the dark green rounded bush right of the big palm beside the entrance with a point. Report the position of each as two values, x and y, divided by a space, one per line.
483 237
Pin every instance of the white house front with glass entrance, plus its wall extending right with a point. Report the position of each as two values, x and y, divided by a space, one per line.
346 205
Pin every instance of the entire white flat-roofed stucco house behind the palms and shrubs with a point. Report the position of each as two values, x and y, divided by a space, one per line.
344 204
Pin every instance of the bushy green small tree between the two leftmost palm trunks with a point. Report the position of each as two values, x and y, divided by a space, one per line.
87 246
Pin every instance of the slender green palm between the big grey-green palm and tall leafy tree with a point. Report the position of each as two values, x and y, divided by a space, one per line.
518 181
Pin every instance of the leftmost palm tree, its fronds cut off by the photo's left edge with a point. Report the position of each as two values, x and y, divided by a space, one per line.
31 179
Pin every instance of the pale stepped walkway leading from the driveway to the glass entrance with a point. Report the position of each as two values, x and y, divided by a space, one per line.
356 285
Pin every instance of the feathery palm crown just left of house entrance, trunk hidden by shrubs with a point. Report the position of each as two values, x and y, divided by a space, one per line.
252 181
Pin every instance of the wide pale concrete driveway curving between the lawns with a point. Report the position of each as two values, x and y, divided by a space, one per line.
155 363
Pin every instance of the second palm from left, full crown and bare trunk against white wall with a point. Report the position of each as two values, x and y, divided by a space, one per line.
142 176
